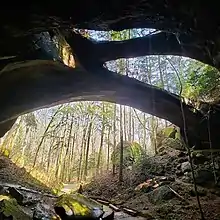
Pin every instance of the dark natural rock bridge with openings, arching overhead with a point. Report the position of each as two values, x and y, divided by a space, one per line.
189 29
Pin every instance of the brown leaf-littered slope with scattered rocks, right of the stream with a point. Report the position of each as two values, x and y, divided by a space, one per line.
162 187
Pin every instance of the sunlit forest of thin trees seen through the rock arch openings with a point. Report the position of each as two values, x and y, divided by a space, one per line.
84 143
